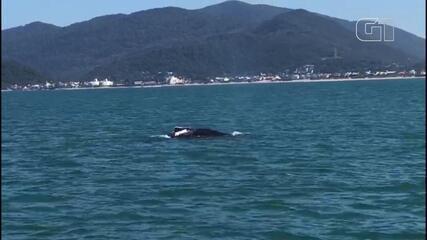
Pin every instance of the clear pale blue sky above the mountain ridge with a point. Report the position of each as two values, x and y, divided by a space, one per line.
406 14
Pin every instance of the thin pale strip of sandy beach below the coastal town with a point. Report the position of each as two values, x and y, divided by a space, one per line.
233 83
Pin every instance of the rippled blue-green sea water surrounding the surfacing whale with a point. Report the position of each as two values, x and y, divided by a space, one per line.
336 160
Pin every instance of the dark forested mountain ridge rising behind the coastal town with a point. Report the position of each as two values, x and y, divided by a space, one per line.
230 37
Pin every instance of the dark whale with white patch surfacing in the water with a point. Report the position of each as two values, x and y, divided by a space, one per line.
188 132
